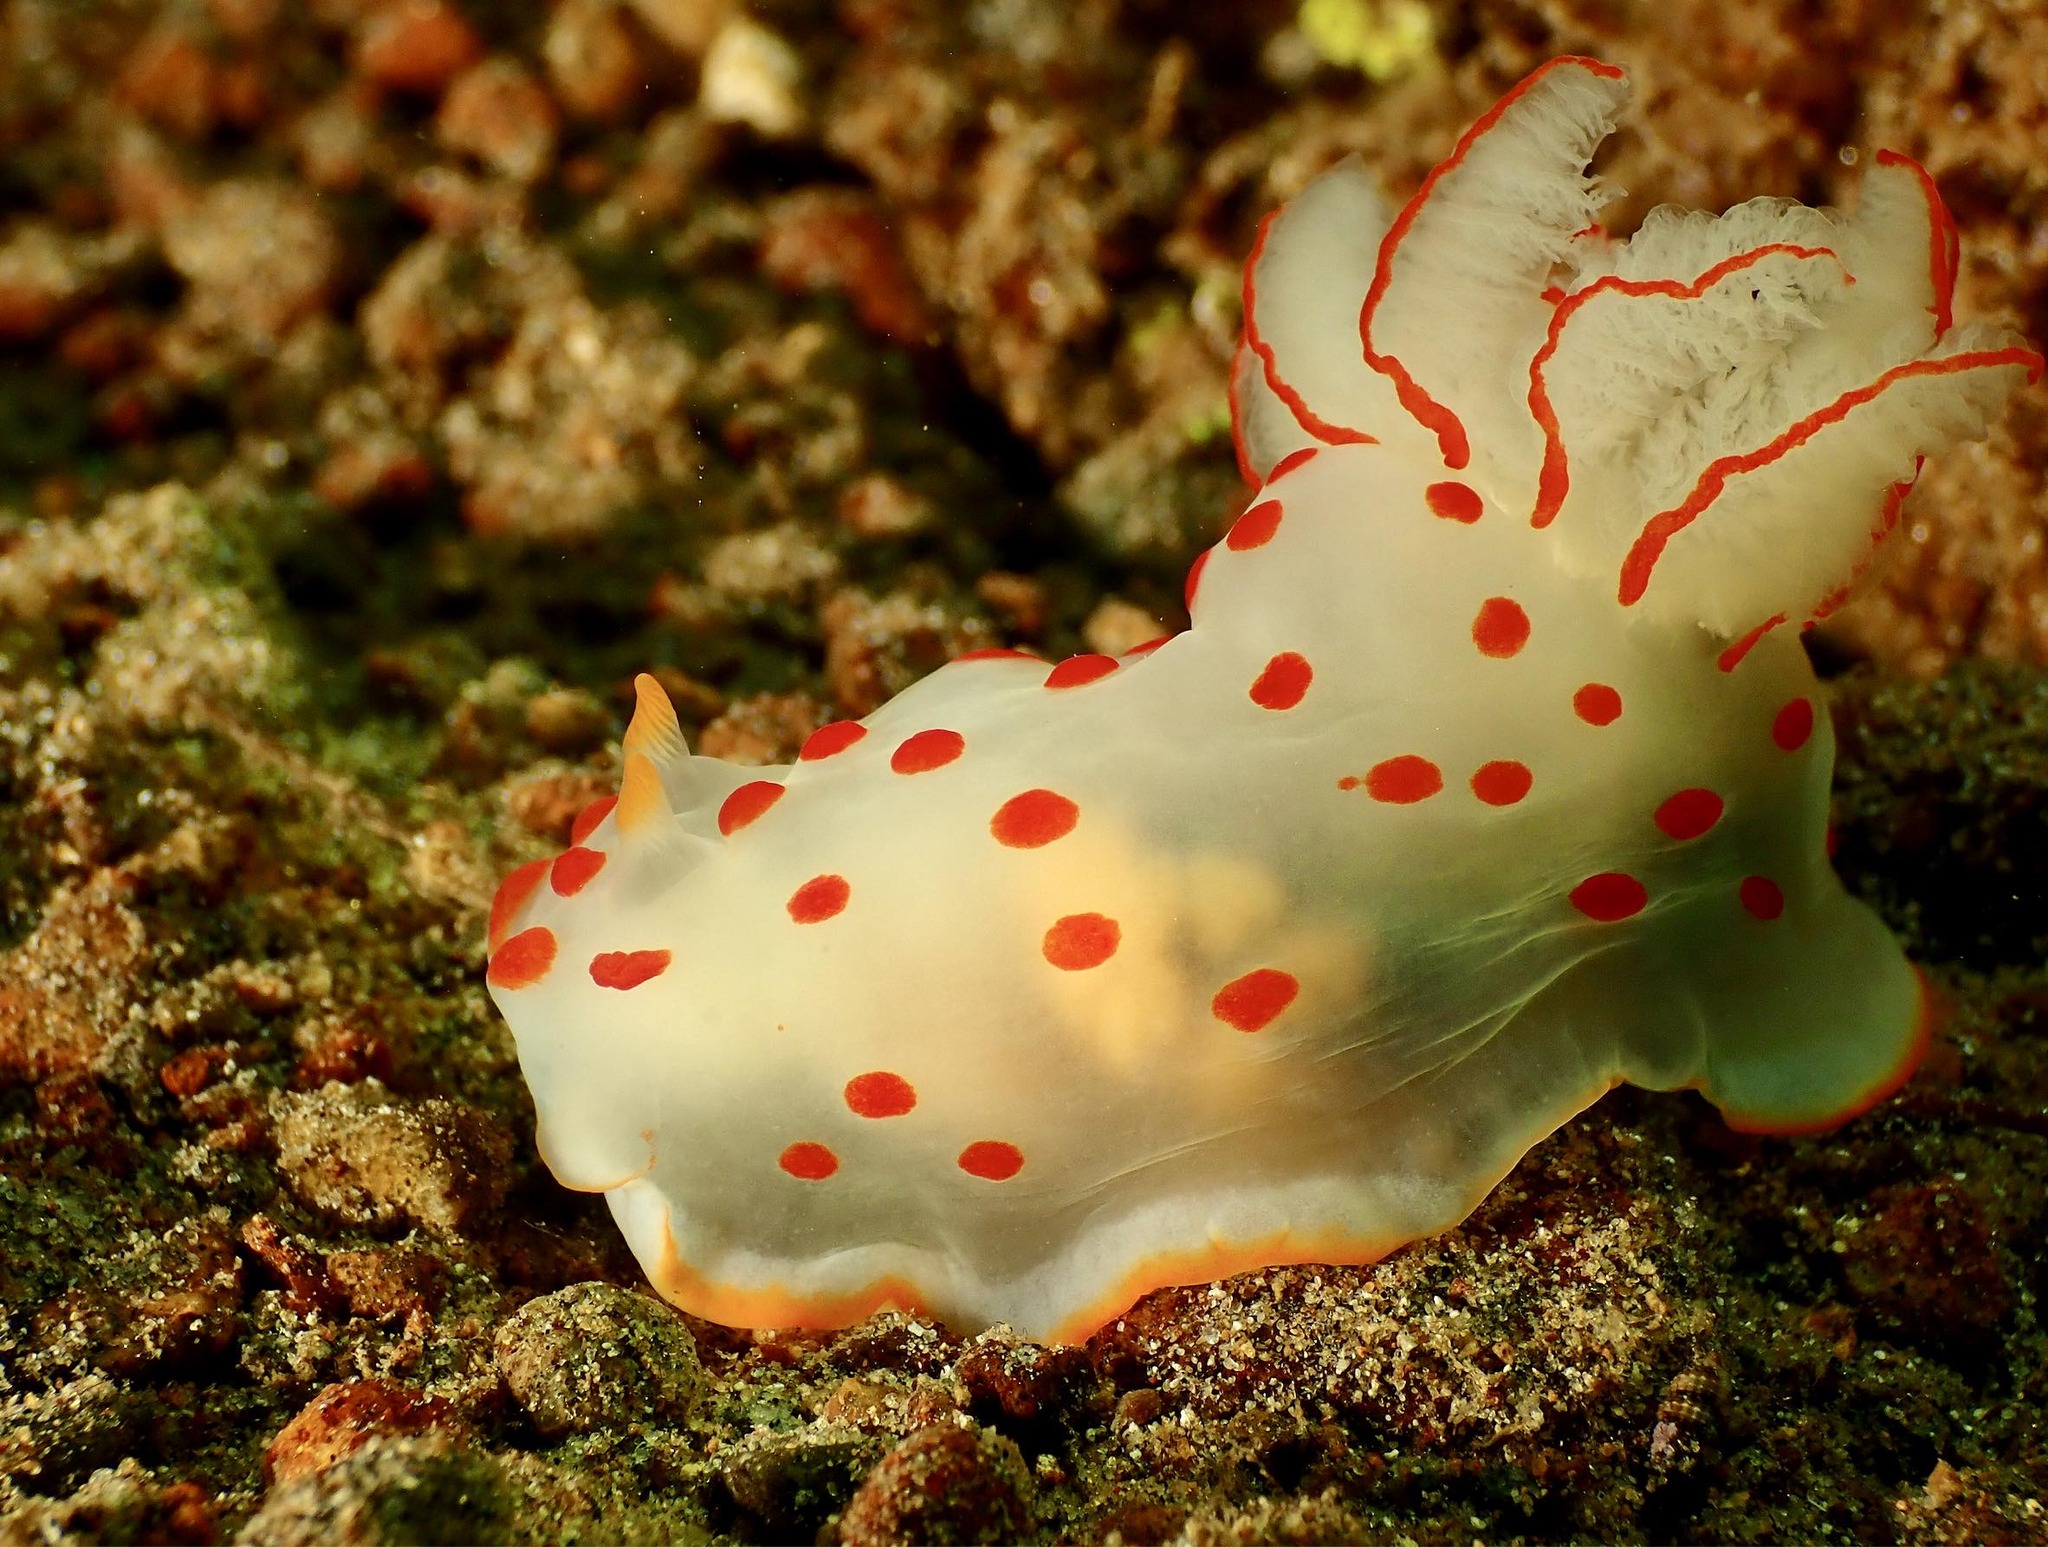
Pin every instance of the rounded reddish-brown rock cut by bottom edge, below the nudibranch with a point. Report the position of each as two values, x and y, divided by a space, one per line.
943 1485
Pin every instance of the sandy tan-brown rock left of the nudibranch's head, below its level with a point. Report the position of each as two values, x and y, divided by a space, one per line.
359 1155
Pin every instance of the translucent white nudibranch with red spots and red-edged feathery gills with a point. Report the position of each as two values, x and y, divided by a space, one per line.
1490 773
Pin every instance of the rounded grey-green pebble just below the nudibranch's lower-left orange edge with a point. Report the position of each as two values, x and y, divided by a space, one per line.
599 1357
